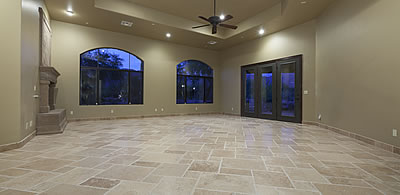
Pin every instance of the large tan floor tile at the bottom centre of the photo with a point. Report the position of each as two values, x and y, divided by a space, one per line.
229 183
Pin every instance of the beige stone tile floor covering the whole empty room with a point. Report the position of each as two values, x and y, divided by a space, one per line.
208 154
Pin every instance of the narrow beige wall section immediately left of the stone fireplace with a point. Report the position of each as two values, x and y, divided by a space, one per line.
29 64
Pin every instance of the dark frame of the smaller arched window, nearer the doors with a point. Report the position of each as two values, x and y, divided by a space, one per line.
195 76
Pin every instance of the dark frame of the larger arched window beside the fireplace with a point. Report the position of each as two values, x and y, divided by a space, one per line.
98 69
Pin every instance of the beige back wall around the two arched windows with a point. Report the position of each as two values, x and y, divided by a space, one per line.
160 60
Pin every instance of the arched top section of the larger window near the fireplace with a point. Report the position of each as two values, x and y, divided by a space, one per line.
111 58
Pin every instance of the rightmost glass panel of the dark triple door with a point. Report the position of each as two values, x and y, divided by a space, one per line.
288 90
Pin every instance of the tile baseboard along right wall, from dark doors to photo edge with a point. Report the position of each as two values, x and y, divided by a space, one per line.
367 140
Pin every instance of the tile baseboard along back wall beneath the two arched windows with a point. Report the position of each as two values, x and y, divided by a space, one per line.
138 116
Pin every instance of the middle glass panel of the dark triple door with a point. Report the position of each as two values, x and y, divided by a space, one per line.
266 90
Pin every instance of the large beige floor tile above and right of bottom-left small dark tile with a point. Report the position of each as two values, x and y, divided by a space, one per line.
120 172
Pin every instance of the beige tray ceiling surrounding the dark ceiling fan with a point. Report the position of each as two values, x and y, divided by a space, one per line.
153 19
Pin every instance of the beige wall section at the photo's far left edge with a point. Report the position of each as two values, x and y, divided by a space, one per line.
10 82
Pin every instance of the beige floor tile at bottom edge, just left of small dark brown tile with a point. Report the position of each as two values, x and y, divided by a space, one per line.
67 189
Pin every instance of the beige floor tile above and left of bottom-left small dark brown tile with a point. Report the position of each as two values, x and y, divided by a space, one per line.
76 176
